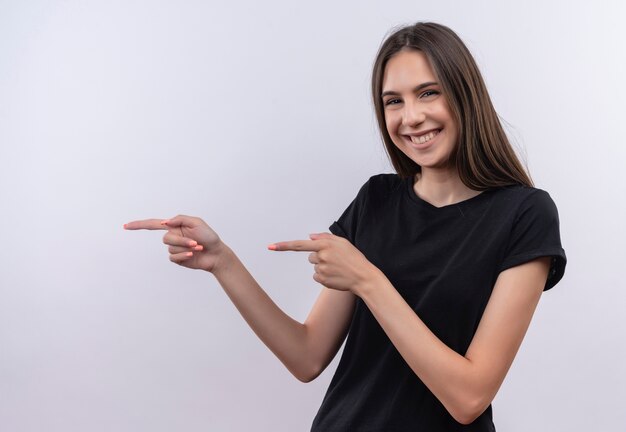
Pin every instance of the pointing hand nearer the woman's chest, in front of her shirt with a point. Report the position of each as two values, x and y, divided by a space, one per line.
337 263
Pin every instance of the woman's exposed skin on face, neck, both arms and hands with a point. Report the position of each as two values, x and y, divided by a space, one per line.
465 384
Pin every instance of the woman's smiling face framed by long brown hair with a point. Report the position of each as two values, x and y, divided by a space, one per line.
417 115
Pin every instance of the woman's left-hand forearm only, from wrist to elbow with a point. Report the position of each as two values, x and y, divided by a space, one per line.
284 336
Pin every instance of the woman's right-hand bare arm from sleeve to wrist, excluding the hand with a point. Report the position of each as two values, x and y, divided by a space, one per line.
465 385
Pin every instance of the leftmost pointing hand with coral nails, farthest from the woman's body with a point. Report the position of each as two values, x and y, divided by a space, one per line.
192 243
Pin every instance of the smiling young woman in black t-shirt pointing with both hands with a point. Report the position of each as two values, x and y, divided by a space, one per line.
434 272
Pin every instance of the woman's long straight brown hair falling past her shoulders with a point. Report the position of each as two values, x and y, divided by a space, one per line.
483 155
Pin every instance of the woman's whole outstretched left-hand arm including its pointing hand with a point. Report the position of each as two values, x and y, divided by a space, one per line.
305 349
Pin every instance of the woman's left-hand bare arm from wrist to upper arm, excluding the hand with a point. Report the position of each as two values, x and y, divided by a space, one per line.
305 349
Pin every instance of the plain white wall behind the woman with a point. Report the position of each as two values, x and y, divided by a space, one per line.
256 117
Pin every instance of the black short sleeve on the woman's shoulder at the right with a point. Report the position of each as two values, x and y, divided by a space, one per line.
536 234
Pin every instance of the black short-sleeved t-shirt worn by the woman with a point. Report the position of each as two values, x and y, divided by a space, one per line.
444 262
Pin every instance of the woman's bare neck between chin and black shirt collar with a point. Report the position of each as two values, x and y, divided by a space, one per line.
442 187
